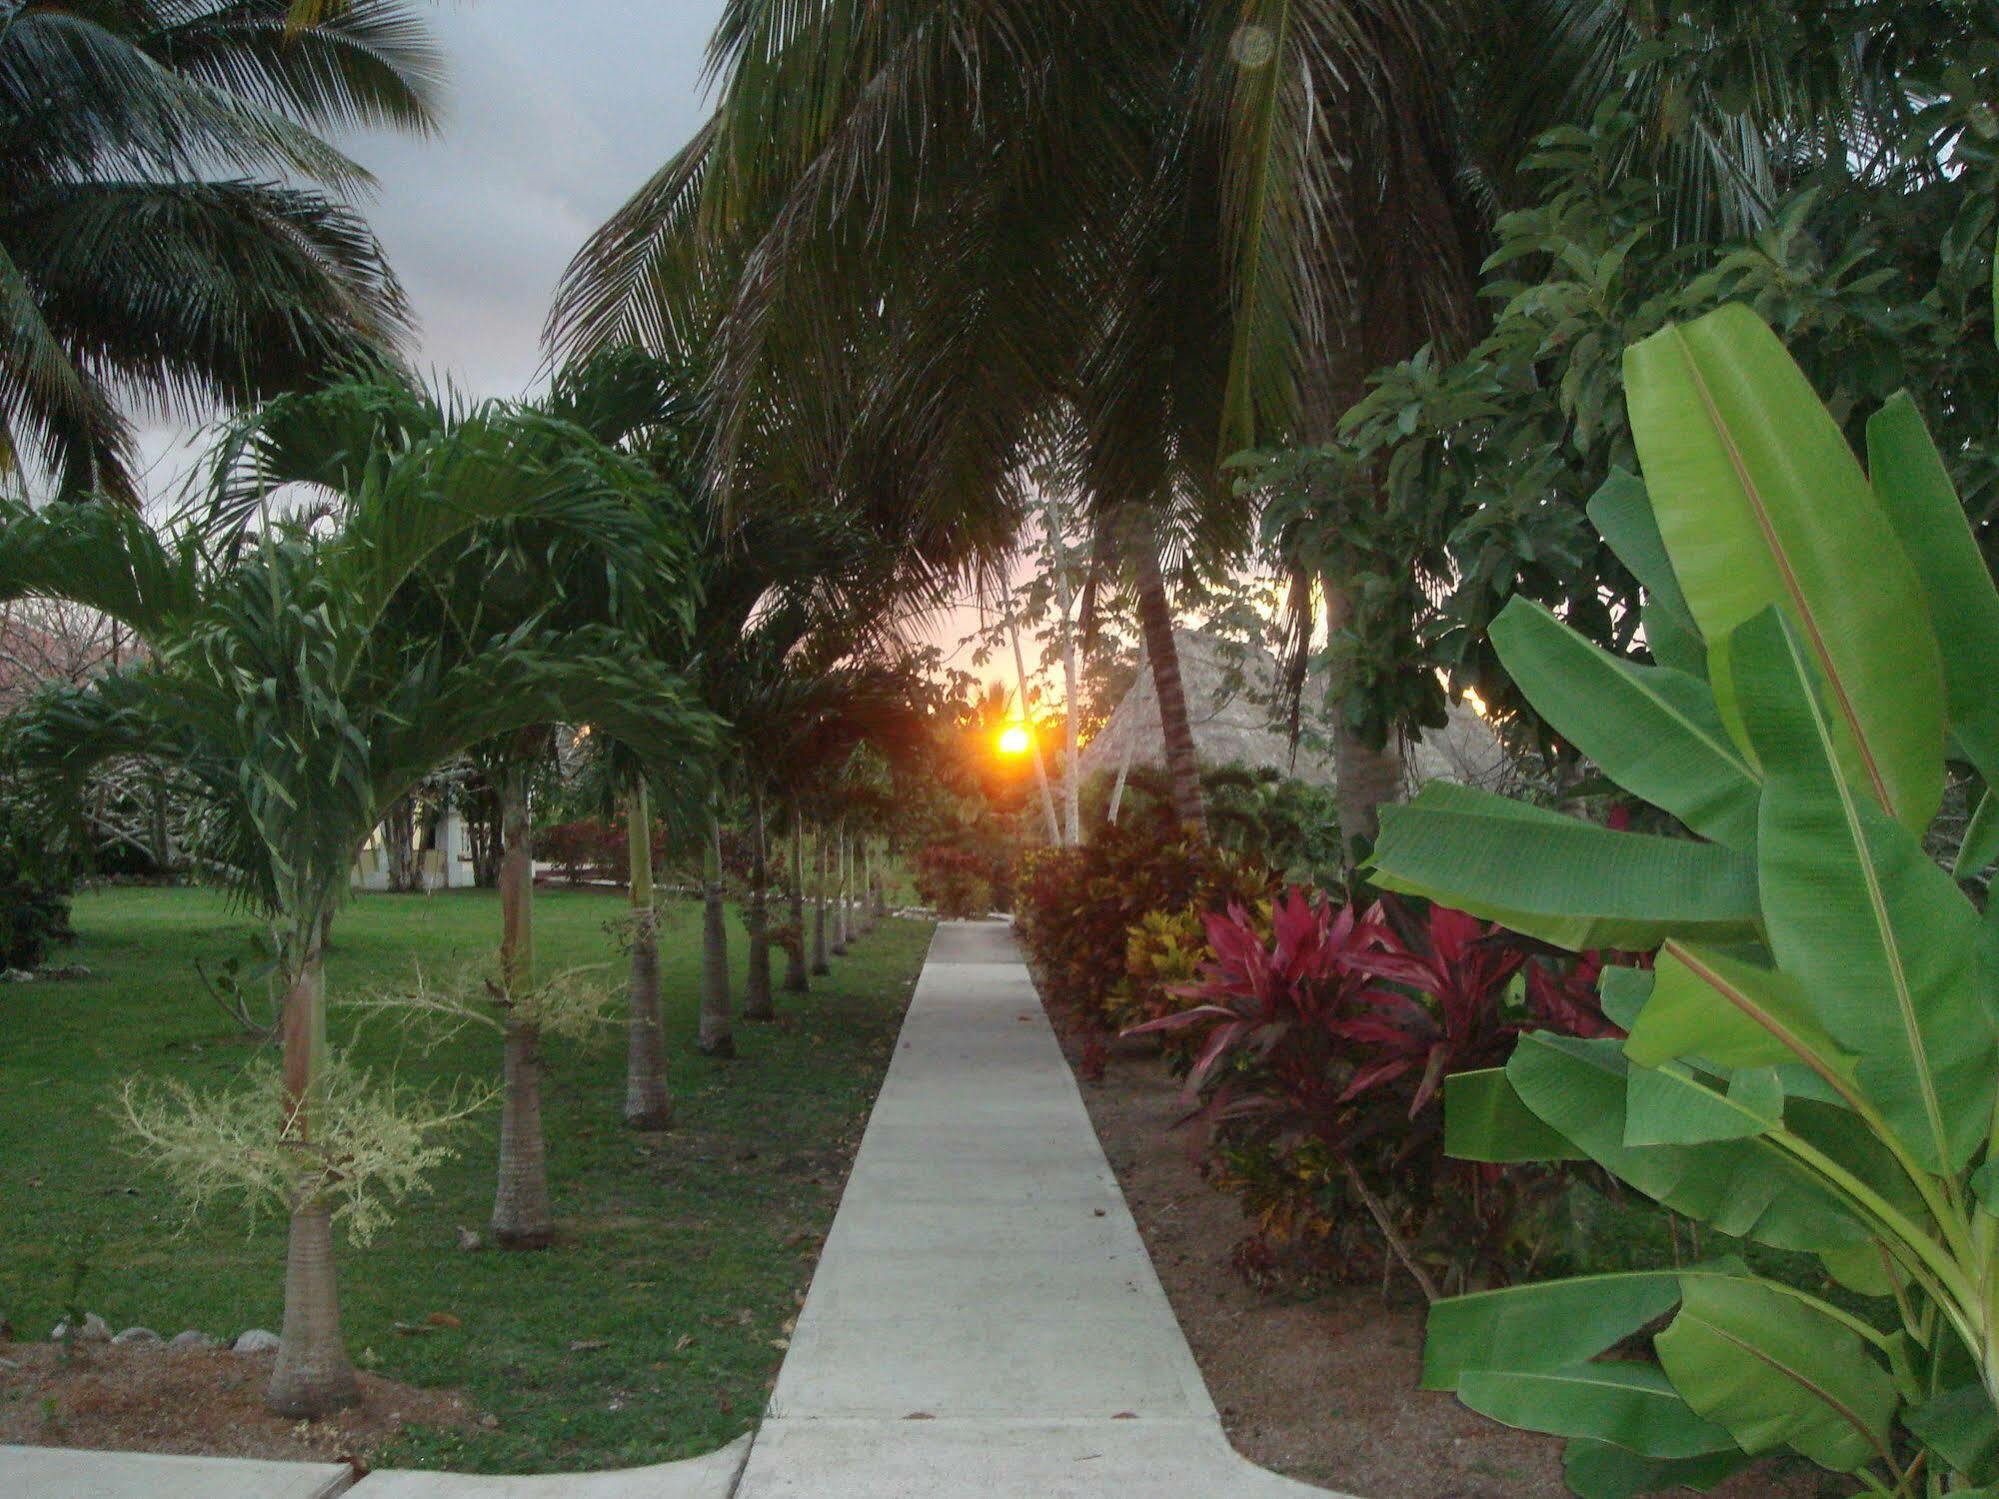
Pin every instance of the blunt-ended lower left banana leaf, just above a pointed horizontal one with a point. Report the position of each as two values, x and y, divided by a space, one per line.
1542 1328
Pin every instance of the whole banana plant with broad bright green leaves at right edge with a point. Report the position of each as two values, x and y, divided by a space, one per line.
1814 1064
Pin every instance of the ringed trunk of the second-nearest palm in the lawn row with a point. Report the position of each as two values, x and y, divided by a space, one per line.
523 1214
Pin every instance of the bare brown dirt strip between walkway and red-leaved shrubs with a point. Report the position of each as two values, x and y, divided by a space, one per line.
1324 1386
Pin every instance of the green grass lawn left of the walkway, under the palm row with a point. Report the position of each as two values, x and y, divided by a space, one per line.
683 1254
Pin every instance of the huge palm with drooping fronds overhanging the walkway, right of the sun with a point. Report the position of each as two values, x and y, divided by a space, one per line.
1146 237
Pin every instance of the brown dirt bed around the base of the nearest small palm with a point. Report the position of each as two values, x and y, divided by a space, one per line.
153 1400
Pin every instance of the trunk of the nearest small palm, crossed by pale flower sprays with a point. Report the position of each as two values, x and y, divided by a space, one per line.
313 1376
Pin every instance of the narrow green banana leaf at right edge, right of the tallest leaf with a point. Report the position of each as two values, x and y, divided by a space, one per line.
1964 607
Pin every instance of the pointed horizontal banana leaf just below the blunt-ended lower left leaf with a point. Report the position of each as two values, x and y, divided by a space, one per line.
1628 1404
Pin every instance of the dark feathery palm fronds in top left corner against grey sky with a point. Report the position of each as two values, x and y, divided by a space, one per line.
175 231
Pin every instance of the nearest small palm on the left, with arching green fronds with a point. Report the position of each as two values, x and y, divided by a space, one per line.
291 685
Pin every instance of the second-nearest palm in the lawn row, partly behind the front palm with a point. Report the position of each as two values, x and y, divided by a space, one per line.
521 573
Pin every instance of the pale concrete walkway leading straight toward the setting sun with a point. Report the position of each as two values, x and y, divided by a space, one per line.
985 1318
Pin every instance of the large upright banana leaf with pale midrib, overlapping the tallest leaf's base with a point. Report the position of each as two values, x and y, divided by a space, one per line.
1882 940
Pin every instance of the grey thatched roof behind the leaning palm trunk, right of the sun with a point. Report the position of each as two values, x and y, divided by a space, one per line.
1230 695
